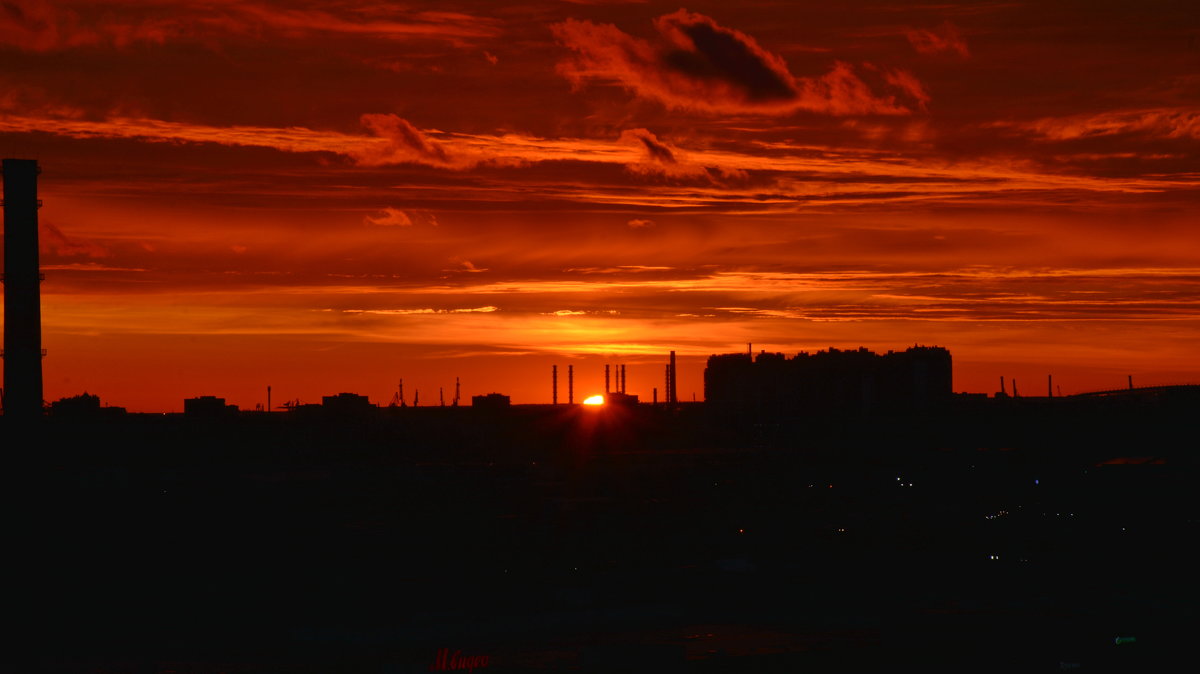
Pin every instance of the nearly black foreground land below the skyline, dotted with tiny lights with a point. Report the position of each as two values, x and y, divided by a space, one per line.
619 541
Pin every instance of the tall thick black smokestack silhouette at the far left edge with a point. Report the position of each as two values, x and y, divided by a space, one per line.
22 296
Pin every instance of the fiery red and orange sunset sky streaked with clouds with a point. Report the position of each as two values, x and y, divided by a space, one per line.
333 196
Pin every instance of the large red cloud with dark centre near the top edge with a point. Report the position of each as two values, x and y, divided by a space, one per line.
700 65
